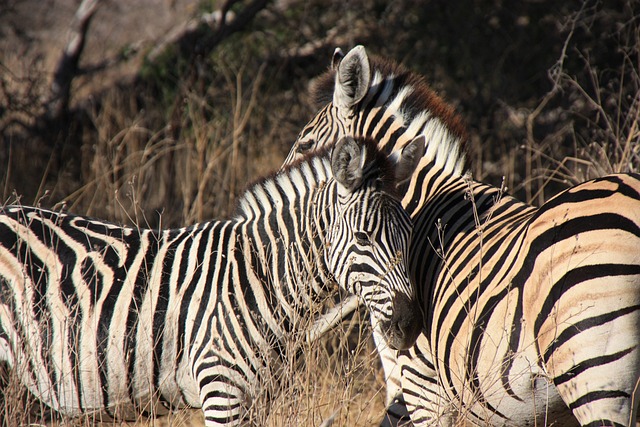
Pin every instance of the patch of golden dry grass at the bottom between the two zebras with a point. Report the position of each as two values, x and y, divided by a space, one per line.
340 377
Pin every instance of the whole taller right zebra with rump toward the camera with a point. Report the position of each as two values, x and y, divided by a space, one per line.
531 315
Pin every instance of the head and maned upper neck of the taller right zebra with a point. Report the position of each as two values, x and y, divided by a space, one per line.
374 97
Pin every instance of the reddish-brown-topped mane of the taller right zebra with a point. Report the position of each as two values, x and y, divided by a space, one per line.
417 102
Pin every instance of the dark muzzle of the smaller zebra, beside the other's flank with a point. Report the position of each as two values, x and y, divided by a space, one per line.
402 331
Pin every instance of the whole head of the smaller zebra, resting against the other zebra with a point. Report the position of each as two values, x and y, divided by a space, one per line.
369 234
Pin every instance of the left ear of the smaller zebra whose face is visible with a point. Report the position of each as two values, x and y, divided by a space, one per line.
347 163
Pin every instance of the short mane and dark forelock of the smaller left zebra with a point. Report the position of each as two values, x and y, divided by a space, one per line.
379 169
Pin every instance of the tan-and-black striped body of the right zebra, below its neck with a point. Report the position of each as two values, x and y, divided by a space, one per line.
538 313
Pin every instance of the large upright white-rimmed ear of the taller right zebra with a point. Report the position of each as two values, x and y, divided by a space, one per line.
353 76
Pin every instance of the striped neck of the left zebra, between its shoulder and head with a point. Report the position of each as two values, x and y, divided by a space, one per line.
283 250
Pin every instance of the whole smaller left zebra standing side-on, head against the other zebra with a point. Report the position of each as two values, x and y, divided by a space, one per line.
98 317
